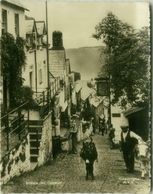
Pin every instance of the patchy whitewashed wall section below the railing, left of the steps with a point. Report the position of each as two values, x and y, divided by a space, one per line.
17 161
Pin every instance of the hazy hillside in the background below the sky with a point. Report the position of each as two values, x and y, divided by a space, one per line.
86 60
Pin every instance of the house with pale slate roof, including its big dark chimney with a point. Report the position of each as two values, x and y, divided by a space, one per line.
59 67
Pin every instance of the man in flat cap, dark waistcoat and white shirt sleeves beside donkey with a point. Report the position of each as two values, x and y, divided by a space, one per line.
129 140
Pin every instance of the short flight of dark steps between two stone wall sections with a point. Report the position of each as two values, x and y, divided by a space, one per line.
35 133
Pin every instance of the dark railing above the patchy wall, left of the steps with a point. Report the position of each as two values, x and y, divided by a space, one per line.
14 126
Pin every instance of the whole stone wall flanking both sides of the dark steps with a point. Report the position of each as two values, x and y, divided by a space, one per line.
17 160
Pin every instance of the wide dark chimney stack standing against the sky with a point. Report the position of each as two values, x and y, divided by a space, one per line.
57 40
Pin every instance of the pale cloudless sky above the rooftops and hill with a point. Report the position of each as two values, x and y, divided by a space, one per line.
77 19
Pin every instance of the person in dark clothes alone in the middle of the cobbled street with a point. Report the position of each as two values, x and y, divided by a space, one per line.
89 155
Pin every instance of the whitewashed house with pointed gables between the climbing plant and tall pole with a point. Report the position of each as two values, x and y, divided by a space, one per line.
35 71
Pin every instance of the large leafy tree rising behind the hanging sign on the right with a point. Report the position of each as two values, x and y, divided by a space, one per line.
126 63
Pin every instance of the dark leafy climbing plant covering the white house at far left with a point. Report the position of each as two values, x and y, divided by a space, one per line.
12 60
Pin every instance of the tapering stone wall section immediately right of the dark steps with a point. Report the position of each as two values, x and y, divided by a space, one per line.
45 150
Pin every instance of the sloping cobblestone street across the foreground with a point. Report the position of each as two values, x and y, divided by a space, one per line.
67 174
